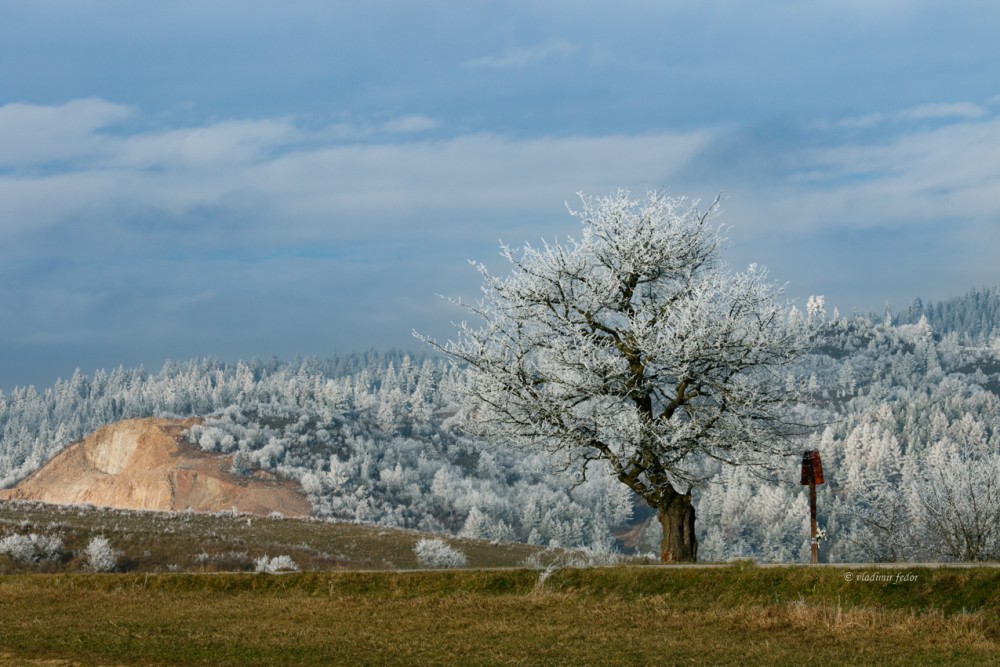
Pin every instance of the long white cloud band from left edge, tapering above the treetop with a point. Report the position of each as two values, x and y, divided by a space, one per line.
341 182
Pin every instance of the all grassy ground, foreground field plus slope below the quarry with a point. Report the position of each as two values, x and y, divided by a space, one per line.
173 603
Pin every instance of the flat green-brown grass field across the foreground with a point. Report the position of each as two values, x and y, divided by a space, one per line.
734 615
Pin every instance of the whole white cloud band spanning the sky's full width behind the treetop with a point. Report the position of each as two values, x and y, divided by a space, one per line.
280 184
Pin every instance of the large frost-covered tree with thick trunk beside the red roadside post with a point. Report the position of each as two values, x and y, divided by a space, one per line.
634 346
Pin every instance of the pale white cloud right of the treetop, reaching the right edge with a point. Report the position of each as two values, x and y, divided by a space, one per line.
946 177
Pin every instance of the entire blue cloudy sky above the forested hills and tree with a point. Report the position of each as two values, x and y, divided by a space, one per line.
240 178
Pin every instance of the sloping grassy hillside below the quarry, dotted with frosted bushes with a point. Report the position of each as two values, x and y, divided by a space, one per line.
191 542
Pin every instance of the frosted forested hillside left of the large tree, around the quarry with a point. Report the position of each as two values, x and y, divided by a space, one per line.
372 438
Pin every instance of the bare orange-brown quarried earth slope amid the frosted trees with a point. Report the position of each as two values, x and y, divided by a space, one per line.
147 464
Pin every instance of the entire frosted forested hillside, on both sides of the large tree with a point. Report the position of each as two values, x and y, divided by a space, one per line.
910 437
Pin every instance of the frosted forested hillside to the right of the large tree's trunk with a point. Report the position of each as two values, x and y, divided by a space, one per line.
911 450
